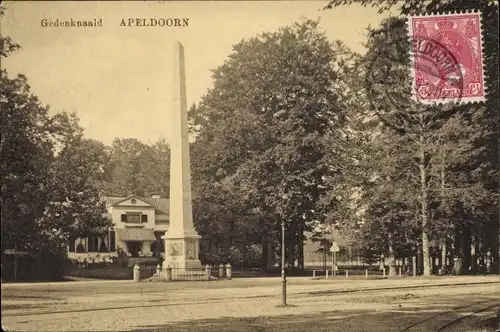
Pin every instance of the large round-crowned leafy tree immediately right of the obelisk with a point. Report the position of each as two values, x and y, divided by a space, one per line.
266 123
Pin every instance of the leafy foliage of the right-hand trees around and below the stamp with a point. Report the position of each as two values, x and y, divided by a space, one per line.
442 170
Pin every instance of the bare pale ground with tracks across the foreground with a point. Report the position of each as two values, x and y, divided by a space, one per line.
250 305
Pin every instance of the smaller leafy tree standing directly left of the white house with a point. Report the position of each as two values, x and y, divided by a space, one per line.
74 208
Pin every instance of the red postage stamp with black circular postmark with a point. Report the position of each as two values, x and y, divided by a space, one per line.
447 58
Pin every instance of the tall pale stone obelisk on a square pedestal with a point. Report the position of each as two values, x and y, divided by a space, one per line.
182 242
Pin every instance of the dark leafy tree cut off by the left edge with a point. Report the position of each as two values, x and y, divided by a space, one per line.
26 151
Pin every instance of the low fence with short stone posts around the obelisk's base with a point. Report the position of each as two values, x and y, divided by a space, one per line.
207 273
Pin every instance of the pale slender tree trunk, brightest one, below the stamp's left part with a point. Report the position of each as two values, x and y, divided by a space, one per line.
424 210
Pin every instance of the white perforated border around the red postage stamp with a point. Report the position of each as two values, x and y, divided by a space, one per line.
463 100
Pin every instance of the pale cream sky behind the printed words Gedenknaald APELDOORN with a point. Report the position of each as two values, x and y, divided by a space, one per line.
119 79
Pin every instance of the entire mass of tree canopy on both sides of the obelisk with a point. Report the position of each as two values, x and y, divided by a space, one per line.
296 130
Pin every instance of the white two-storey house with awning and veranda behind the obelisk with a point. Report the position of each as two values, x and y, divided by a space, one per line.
137 226
